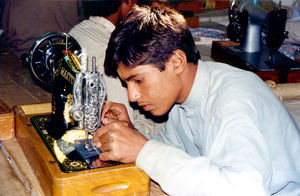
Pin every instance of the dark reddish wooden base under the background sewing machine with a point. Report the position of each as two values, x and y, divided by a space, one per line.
224 51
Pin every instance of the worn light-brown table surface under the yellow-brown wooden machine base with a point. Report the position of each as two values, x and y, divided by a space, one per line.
17 177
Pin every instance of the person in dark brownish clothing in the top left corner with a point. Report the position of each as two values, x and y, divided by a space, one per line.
24 21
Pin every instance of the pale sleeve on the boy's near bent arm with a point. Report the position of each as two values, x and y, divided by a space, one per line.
236 164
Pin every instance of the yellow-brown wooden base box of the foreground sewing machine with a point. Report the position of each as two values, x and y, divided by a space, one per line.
124 179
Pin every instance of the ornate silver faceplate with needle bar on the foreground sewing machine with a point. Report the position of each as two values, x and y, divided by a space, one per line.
89 94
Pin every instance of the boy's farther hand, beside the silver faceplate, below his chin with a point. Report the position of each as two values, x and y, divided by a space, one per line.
114 111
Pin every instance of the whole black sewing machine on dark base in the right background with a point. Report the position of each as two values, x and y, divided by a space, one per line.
257 34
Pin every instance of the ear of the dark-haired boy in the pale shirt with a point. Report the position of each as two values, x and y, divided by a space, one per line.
178 61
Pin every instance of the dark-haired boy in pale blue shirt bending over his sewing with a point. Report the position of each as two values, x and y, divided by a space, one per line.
227 133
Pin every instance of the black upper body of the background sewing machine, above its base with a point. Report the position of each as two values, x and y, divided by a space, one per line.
247 21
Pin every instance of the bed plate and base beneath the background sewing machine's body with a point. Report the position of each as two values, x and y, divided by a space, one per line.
229 52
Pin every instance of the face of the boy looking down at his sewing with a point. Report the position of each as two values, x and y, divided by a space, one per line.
154 90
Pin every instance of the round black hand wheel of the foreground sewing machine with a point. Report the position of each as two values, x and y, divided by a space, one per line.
45 55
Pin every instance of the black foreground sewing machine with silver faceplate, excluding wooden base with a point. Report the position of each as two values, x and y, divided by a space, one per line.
58 63
